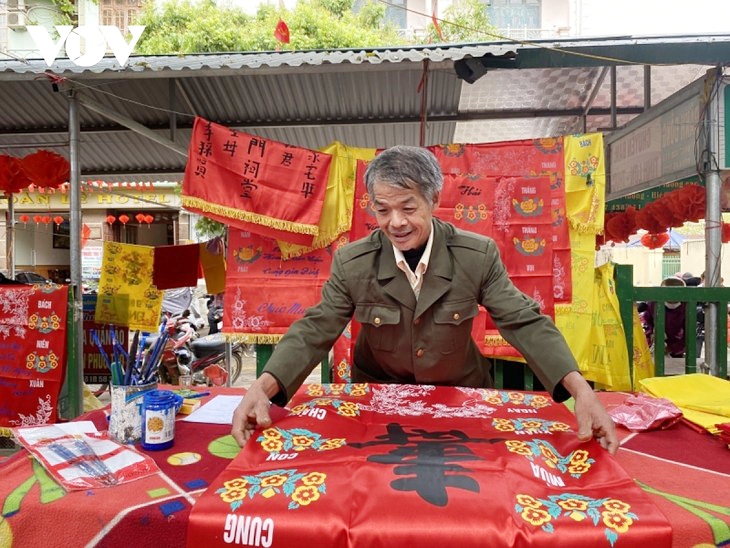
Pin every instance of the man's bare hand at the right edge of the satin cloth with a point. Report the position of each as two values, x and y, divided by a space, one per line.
593 419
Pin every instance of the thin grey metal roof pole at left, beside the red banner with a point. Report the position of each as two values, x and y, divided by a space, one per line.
75 376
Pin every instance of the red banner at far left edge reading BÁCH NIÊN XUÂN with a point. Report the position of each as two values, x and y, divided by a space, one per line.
32 353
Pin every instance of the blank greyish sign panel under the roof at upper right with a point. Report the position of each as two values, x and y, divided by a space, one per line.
657 147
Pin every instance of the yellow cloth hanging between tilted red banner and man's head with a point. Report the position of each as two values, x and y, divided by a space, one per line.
336 215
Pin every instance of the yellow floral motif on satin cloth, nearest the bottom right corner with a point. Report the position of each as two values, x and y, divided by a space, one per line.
614 514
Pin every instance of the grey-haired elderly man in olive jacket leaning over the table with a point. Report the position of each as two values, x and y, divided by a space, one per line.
415 285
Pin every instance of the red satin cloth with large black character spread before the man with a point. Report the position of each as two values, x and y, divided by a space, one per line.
404 465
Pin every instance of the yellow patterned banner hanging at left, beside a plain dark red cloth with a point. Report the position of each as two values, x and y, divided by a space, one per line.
127 295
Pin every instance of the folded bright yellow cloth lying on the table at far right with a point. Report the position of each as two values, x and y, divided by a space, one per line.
703 399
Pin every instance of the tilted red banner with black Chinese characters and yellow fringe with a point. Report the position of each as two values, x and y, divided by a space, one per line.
255 184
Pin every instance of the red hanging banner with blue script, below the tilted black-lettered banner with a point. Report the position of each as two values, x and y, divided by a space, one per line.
264 294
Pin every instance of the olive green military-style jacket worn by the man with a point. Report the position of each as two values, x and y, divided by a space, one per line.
424 341
